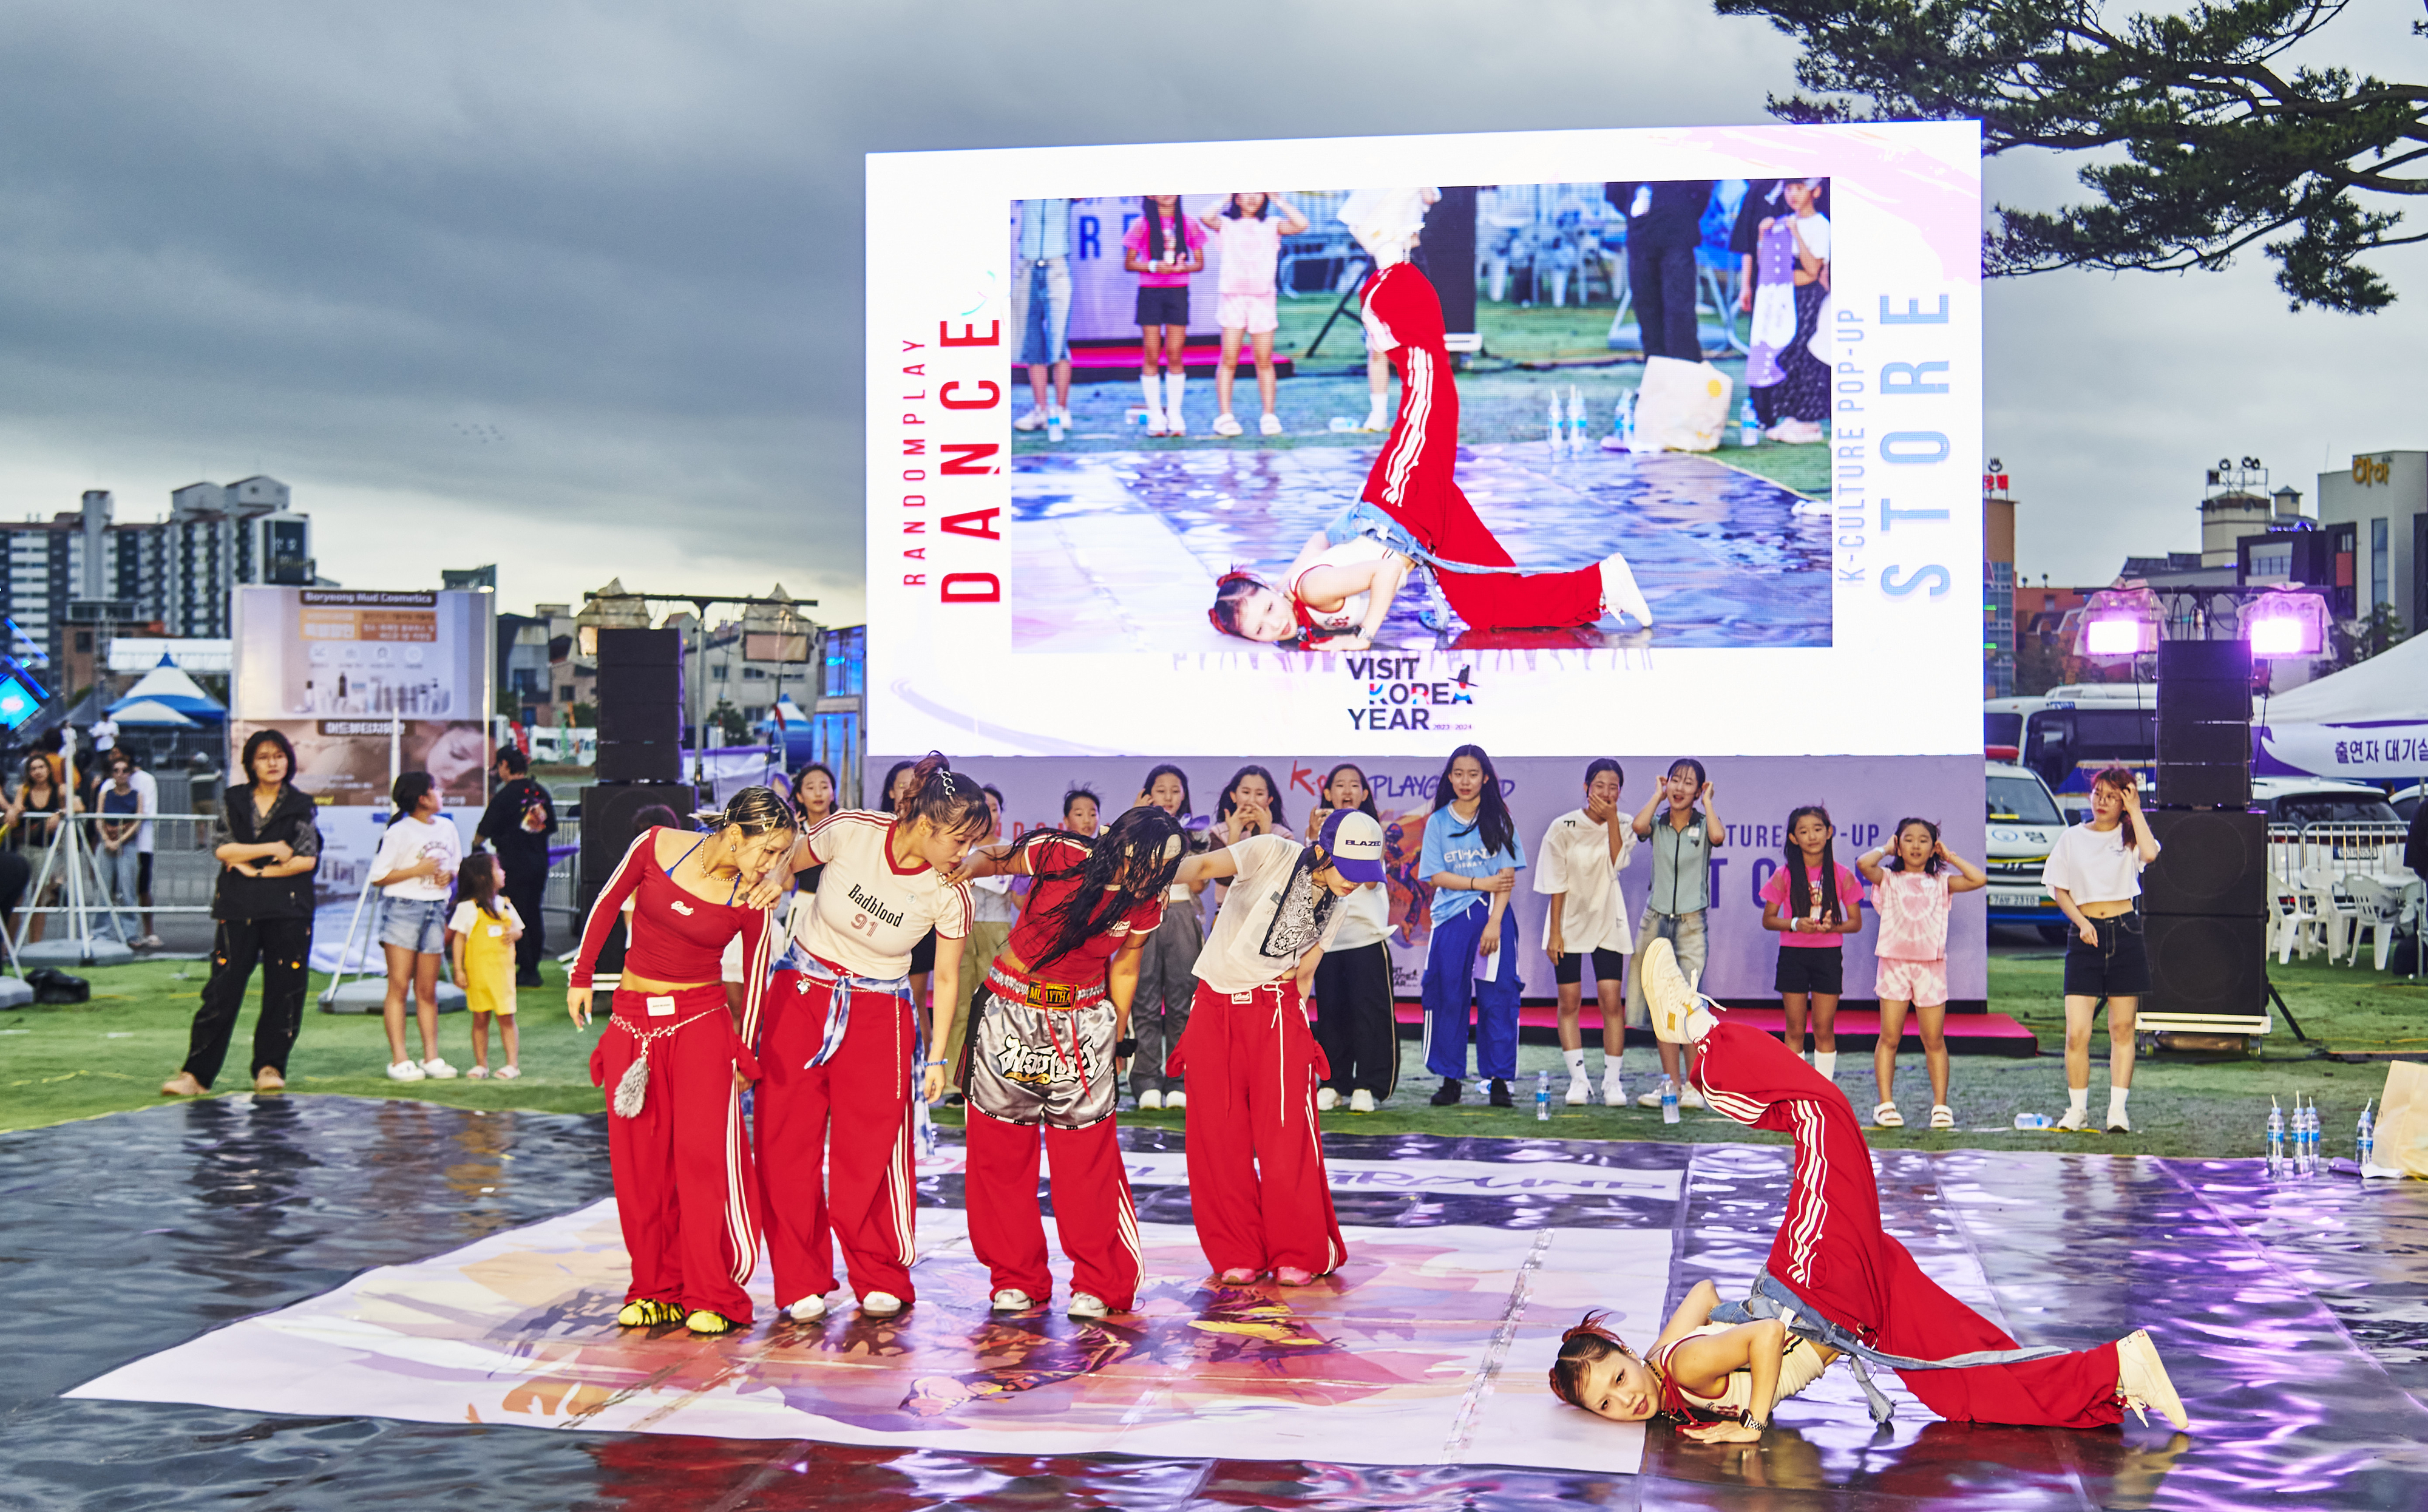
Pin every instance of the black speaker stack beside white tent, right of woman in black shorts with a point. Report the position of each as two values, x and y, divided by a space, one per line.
2206 897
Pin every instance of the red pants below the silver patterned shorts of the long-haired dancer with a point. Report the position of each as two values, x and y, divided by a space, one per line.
1091 1210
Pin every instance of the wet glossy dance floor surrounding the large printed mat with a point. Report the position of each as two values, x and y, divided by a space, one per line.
2291 1317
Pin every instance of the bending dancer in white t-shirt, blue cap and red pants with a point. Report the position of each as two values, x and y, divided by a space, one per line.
1249 1057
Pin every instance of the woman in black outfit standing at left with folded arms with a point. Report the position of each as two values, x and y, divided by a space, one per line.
268 848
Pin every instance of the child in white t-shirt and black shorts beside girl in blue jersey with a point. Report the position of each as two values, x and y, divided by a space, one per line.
1582 860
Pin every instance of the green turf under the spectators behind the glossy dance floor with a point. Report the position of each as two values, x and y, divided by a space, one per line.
113 1052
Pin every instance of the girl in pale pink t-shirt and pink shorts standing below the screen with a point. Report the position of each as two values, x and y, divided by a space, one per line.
1912 897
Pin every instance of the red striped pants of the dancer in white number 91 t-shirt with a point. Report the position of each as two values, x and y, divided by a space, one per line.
836 1144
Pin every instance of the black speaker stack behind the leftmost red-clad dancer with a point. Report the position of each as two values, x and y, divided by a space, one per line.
640 766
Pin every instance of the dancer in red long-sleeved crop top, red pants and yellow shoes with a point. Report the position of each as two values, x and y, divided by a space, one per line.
676 1064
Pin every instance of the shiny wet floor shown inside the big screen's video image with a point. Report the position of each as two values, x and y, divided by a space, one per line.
1121 550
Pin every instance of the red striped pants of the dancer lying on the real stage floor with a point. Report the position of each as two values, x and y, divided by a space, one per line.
1834 1254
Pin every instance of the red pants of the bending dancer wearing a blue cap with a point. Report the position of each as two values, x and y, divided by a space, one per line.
1256 1156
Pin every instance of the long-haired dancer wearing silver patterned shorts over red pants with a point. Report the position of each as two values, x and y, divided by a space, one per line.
1067 974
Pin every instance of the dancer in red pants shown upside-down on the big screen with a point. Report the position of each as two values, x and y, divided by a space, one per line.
1412 508
